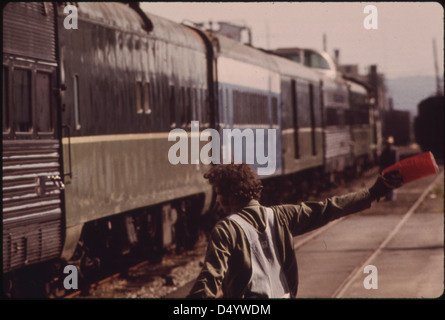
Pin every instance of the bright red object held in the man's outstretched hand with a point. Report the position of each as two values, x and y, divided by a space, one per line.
415 167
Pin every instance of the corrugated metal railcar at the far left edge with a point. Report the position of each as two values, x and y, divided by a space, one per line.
32 185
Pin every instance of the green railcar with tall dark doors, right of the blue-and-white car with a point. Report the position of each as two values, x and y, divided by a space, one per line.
301 116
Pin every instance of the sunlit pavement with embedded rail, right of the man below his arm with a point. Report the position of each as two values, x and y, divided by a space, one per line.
402 240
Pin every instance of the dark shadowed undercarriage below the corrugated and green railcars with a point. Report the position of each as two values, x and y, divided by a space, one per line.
112 243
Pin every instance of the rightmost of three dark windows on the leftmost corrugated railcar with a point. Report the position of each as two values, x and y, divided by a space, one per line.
44 117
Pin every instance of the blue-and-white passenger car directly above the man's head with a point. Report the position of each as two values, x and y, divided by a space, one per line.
248 86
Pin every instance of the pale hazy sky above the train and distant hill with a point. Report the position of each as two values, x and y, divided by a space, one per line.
401 46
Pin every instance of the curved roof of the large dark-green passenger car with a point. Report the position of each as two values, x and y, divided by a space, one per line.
122 17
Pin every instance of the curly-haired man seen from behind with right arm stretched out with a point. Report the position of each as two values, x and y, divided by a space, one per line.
250 252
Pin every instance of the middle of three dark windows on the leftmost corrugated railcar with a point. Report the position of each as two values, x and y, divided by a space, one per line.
22 100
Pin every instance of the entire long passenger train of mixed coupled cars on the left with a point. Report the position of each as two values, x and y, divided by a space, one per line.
87 113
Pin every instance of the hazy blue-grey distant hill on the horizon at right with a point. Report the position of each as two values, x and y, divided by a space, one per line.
407 92
